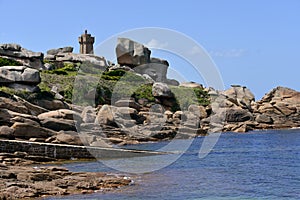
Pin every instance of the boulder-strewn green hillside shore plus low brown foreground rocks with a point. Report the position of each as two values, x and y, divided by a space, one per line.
132 102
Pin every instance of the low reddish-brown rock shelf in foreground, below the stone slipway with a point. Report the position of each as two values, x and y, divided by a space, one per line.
23 176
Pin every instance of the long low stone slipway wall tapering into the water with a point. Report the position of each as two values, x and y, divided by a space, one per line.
60 151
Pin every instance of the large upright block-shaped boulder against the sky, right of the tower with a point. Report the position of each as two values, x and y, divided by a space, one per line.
131 53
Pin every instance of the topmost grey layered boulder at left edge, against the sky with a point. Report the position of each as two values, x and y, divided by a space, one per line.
22 55
